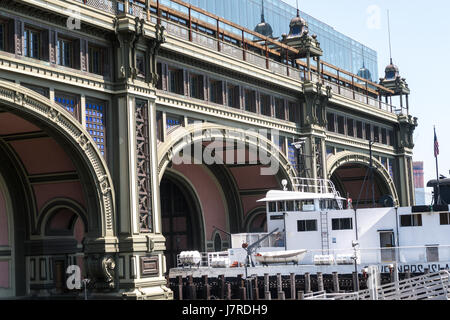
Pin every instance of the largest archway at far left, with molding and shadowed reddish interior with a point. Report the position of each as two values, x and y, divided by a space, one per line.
45 156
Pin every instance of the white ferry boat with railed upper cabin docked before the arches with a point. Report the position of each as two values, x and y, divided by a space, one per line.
311 224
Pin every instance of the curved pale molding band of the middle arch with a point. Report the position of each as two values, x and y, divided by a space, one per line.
184 136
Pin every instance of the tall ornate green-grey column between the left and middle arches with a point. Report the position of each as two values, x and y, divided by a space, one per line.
141 261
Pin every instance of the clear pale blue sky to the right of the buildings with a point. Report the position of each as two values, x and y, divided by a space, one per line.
420 35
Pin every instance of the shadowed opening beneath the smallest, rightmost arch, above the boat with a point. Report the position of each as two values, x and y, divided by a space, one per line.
354 181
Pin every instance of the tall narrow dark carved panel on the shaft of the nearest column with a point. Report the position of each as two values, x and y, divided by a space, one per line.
143 167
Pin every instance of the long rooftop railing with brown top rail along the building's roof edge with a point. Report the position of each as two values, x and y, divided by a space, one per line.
196 25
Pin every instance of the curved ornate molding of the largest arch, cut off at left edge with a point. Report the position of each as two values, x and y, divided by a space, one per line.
25 102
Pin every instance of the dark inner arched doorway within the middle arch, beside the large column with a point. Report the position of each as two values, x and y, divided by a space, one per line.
180 214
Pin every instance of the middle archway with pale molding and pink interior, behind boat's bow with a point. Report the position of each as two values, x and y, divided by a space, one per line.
226 189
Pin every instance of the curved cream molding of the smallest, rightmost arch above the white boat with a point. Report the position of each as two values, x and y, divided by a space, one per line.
346 157
